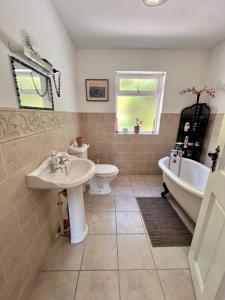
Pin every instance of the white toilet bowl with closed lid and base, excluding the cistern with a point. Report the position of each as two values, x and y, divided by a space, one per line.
104 174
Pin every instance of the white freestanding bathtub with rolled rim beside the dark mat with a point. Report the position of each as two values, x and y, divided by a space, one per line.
188 186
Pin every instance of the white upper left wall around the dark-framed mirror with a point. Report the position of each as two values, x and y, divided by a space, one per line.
40 20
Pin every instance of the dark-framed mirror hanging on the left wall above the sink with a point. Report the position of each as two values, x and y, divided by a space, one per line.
33 87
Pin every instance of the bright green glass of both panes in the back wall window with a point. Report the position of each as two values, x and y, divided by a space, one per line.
131 107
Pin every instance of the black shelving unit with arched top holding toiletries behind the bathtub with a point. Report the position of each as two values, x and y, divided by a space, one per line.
198 117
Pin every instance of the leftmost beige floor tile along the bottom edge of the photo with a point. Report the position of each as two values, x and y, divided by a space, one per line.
55 286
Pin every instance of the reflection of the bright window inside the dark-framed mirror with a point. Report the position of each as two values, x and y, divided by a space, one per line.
28 94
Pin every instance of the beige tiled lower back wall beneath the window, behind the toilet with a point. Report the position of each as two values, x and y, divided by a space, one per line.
133 154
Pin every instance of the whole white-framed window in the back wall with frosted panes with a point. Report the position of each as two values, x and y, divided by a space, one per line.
139 95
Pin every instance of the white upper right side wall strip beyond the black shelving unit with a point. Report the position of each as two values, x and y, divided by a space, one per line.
217 76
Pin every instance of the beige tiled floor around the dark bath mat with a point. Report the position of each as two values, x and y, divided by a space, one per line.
116 261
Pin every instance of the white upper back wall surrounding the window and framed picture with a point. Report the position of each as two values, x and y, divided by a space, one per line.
184 68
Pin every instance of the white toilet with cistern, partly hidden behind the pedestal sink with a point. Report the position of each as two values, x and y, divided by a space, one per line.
104 174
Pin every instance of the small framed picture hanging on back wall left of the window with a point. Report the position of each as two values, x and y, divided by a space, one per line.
97 89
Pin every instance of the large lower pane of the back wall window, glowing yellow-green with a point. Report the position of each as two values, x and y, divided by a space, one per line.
129 108
